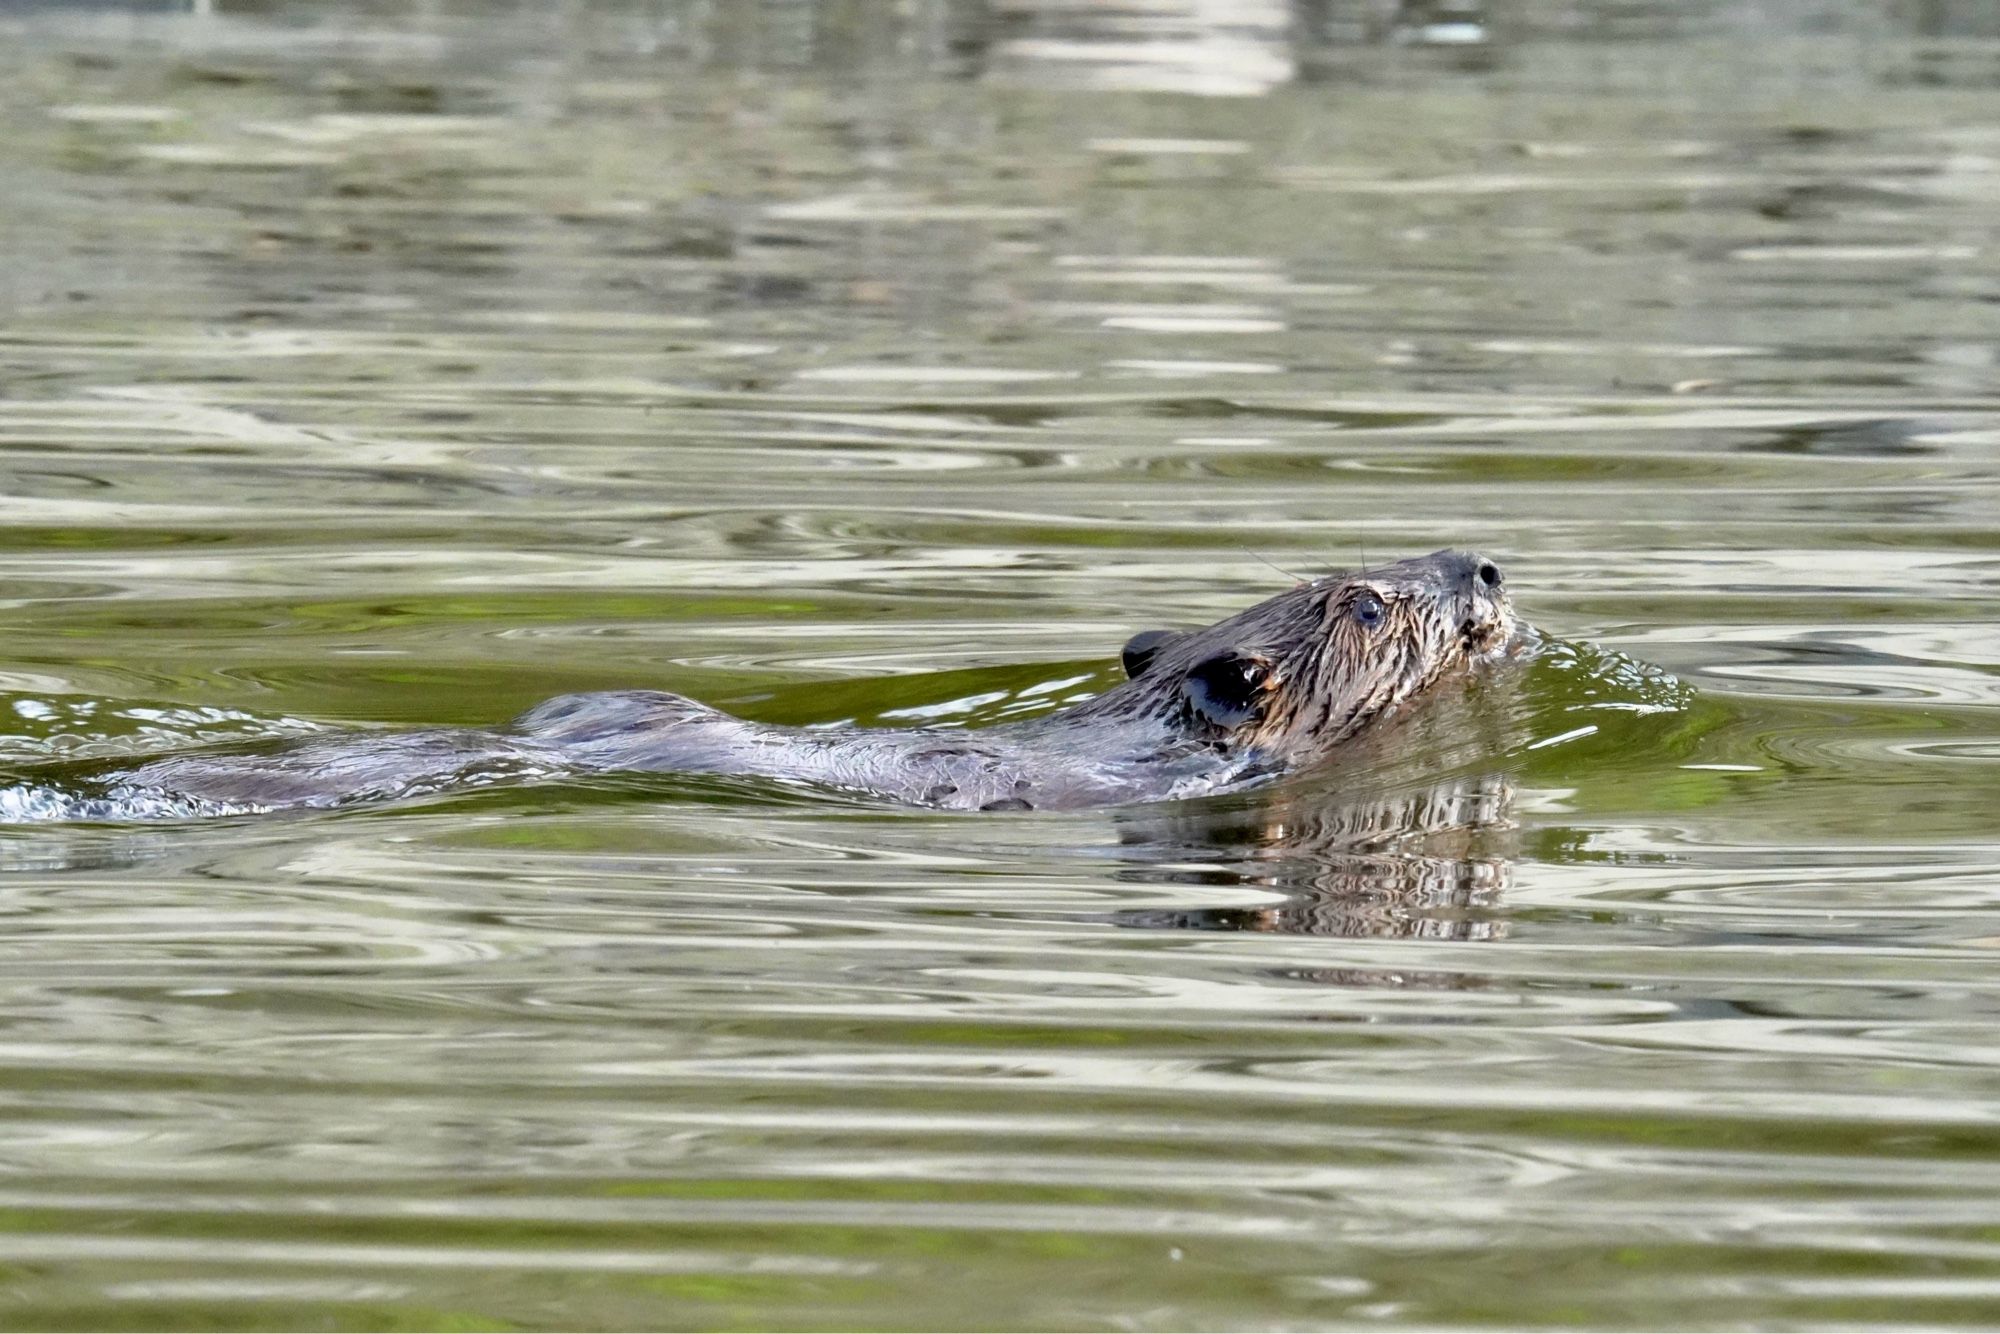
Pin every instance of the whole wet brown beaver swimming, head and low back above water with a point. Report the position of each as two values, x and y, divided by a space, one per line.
1267 691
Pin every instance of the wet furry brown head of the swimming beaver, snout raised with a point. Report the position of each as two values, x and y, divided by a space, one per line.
1311 667
